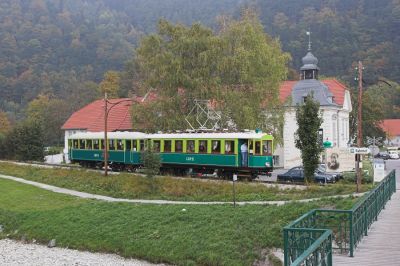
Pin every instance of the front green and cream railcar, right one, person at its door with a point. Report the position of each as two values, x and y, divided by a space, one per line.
205 152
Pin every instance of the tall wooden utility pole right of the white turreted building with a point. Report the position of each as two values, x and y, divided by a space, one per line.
359 126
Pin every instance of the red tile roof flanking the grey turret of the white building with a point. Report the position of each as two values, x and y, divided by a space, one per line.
335 87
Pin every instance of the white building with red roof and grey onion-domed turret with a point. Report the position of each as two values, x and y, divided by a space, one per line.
335 107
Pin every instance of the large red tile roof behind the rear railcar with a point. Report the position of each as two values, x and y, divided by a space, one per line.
91 117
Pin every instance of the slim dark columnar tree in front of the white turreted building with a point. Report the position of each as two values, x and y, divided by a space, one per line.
306 137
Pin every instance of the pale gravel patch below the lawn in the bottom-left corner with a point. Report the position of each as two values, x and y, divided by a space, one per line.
16 253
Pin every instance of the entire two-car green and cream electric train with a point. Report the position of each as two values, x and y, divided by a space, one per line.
197 154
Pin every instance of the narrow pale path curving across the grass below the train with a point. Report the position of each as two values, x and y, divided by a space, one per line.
111 199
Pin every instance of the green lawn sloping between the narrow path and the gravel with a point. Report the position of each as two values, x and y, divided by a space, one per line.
201 235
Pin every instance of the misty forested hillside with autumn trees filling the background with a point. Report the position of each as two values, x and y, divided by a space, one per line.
62 49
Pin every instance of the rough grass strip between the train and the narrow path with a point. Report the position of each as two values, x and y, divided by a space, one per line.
131 186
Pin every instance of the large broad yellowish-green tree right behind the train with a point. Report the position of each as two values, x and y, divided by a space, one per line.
239 64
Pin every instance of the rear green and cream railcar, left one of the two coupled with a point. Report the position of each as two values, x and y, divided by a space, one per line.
124 149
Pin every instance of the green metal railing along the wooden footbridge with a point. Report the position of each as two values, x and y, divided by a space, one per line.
311 239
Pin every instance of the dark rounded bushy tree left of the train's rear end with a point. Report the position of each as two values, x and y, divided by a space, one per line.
25 142
